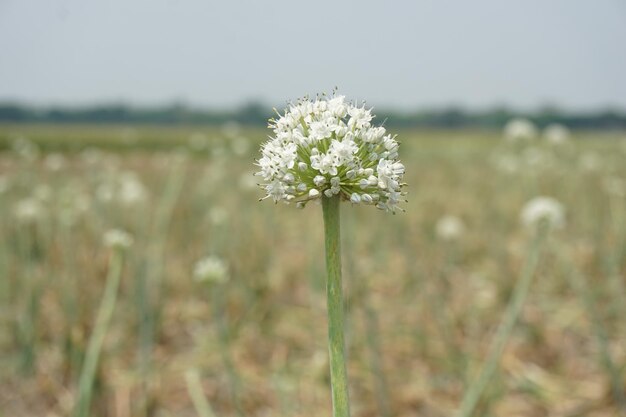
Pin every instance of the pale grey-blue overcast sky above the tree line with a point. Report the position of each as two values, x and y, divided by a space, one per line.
403 54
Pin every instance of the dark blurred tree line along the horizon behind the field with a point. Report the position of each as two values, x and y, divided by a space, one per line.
256 114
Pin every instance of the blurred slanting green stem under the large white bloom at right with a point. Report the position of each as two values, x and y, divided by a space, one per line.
503 334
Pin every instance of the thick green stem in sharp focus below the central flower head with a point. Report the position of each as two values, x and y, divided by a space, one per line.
336 344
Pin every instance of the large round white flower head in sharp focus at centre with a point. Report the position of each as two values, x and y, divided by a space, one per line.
329 147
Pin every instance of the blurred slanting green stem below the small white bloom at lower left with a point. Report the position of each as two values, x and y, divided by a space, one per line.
103 318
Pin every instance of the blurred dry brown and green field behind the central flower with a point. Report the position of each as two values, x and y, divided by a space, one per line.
422 306
